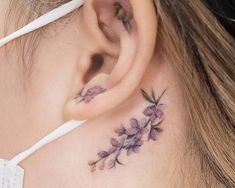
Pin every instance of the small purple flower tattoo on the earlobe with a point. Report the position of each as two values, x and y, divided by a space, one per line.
90 94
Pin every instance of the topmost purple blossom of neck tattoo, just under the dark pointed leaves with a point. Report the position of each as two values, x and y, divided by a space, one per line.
154 112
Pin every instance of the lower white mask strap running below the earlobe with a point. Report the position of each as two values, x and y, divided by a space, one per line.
59 132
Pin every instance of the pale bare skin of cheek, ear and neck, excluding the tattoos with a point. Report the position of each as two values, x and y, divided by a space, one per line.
61 63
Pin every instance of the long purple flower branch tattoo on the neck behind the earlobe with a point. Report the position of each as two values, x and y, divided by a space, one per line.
129 140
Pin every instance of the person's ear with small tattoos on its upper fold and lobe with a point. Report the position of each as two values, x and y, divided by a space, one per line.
122 33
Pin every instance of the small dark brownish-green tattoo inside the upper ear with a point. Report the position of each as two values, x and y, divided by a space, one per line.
122 15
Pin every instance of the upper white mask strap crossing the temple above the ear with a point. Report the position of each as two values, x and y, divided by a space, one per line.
43 20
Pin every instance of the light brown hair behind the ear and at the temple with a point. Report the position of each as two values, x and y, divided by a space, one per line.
202 53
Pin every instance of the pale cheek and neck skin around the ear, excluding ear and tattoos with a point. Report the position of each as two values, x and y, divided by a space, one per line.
29 116
